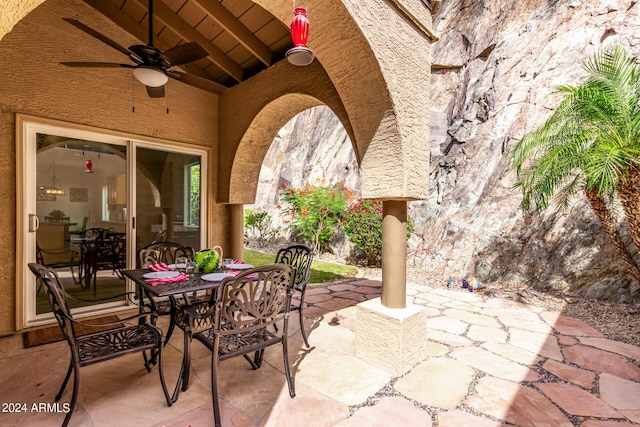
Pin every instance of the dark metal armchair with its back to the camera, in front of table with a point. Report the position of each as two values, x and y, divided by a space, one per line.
238 320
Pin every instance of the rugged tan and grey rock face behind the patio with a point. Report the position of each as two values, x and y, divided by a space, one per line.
493 74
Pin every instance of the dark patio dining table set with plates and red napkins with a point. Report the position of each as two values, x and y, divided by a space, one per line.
171 290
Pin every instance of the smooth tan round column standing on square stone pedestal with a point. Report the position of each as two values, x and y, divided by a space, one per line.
394 254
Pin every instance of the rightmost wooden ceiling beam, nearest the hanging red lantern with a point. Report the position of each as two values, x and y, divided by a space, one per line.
236 29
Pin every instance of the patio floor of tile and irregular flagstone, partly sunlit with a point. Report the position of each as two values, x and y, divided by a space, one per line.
491 362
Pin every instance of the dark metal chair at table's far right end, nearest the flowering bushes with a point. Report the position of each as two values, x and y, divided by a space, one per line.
300 258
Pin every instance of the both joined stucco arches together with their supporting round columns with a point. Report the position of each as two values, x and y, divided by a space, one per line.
381 84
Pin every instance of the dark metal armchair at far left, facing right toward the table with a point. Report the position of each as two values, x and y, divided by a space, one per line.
101 346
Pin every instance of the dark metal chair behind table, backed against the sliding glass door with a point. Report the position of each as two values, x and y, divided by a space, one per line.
166 252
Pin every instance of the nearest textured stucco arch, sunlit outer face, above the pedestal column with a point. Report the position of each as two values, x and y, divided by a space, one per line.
382 79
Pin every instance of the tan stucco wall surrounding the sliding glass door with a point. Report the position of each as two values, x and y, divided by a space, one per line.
35 83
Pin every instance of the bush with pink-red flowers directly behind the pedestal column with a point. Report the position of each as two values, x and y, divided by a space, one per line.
363 226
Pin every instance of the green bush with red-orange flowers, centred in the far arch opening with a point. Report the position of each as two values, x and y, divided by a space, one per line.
316 212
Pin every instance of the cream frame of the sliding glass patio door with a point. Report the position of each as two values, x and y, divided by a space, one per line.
26 128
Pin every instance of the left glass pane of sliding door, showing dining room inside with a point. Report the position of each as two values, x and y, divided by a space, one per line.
81 188
